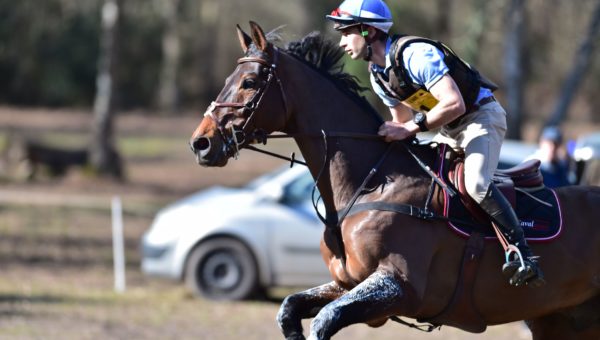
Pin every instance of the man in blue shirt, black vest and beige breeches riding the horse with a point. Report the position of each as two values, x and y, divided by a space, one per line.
426 77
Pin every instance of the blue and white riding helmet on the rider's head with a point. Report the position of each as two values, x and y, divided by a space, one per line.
369 12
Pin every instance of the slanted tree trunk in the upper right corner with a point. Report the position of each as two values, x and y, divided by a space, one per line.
583 59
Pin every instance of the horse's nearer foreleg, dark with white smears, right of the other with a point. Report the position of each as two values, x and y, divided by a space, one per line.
375 298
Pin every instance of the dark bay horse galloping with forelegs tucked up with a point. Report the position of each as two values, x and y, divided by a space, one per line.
386 264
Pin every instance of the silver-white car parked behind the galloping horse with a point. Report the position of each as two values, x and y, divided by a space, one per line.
231 243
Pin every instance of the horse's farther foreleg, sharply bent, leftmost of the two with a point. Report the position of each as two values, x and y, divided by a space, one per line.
304 305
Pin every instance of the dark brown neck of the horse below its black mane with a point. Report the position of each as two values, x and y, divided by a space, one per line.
318 105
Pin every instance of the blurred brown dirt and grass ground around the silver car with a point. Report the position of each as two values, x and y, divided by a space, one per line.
56 254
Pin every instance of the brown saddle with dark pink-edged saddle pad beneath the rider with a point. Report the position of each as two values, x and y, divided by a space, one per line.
536 206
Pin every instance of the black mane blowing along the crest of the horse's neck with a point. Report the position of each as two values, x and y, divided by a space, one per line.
325 57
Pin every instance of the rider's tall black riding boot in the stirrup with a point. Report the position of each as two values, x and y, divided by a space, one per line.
503 215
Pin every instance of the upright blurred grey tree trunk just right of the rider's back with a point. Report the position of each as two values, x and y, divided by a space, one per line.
513 67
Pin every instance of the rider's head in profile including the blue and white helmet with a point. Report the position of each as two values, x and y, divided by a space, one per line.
369 19
